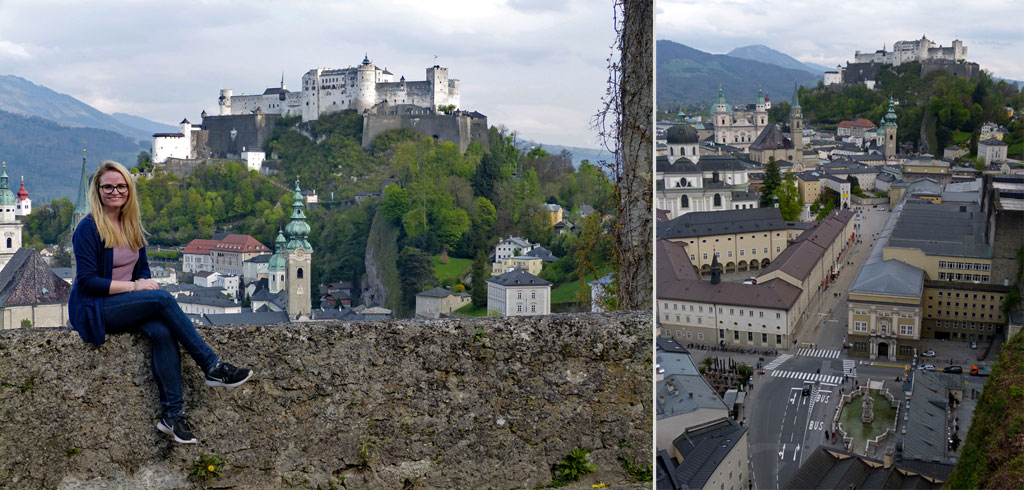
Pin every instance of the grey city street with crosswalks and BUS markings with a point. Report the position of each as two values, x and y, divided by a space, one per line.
785 425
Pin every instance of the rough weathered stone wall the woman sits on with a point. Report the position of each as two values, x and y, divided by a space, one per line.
484 404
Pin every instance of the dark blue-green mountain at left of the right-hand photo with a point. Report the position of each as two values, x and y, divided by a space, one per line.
691 78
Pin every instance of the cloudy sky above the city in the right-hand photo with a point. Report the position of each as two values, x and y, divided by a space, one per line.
829 33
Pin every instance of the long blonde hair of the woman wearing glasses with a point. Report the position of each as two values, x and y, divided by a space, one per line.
132 234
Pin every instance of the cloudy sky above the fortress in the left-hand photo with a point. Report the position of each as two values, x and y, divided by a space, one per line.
538 67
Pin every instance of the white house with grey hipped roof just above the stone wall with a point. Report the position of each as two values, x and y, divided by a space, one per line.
519 293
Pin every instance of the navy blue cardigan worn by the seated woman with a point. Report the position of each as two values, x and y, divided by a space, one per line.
93 281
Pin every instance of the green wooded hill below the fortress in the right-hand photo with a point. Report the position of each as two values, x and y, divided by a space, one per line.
935 112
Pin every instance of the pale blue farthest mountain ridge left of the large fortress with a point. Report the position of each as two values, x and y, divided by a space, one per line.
19 96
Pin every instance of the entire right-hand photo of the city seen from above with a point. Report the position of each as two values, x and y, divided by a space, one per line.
840 241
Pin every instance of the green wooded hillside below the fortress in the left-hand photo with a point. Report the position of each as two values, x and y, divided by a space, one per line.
442 202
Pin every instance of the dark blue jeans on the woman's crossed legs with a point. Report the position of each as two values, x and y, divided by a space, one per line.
157 316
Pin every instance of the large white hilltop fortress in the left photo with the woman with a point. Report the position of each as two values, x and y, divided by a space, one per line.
245 124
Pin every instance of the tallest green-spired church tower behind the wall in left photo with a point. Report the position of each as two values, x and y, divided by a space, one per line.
298 257
